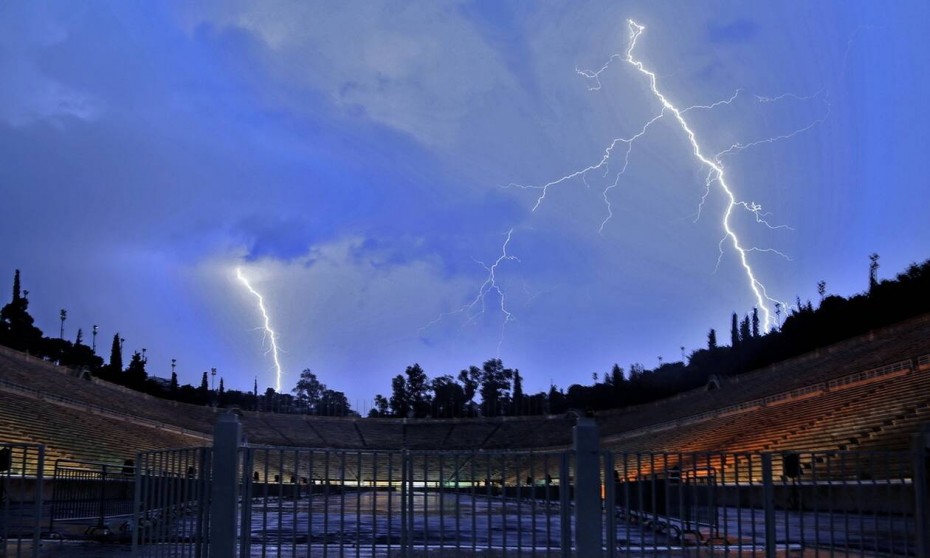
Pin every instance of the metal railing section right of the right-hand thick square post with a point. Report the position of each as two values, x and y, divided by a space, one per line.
768 504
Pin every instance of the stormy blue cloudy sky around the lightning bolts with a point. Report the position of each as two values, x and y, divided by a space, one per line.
361 163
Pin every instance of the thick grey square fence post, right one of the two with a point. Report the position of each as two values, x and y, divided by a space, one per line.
587 488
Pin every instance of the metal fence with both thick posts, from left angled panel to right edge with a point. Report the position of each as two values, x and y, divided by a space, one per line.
231 501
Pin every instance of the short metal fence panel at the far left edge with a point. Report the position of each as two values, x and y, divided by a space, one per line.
21 489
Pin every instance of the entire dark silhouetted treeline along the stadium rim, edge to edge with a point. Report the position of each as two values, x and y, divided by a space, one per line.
496 390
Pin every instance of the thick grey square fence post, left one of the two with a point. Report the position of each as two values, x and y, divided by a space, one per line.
224 495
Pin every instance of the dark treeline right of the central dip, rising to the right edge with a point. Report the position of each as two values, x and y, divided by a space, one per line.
805 328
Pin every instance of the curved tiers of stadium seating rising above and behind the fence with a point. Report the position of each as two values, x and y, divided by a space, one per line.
869 392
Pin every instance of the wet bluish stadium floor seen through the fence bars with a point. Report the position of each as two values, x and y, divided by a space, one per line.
369 524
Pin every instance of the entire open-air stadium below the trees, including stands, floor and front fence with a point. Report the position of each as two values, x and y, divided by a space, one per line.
821 454
